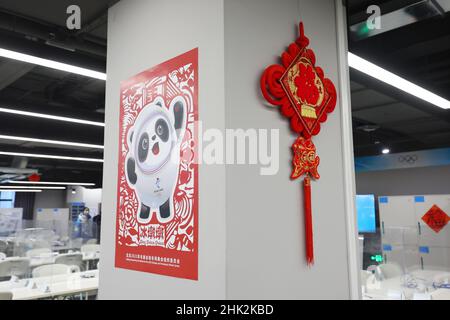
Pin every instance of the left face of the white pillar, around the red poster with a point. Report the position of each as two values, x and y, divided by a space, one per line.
142 34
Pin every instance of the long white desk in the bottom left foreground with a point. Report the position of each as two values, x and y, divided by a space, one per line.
58 285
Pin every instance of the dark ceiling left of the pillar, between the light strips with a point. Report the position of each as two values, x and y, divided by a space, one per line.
39 28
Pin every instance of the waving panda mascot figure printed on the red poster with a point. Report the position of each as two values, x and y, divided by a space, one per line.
154 156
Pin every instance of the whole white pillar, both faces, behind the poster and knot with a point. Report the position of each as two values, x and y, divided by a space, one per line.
251 240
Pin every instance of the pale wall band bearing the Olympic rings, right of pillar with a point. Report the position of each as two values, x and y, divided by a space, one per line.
426 180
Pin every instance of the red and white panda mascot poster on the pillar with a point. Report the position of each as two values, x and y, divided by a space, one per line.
157 192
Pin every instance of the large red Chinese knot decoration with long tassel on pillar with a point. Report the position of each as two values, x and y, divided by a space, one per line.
303 94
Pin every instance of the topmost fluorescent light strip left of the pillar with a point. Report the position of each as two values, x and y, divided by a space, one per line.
51 64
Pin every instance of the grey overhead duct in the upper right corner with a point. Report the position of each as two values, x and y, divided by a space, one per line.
416 12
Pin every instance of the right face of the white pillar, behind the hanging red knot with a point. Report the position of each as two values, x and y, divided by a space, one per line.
265 238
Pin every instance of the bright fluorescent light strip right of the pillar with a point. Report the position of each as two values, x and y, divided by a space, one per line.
381 74
